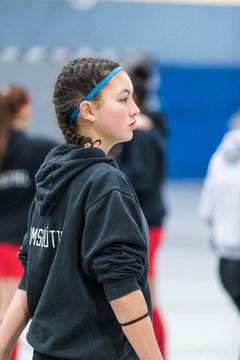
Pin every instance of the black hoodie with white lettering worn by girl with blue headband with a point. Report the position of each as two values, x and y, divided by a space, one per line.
86 245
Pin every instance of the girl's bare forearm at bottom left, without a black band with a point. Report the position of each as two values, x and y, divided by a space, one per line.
14 322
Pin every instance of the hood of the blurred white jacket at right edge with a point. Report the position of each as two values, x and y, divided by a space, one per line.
230 146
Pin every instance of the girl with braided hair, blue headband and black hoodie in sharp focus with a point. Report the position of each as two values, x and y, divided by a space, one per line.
84 255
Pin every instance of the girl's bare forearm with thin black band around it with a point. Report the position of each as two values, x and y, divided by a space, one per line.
140 333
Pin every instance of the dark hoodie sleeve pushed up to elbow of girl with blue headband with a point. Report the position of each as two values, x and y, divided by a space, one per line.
114 247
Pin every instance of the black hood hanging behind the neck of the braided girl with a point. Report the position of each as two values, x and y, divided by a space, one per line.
61 165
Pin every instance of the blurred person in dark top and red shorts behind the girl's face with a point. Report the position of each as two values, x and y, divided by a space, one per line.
143 160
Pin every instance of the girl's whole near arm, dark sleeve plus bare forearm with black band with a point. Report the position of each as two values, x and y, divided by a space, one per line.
115 252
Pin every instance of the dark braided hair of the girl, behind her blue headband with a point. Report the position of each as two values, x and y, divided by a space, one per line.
73 84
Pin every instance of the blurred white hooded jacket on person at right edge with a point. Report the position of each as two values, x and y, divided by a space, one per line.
220 198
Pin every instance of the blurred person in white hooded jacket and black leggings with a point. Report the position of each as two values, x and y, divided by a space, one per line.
220 208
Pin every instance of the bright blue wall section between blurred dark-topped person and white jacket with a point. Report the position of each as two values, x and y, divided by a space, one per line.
198 103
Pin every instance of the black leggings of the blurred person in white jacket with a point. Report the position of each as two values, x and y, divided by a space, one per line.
230 277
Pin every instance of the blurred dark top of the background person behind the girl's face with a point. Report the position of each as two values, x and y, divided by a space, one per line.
143 160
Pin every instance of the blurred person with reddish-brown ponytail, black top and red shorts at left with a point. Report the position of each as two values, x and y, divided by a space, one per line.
20 158
